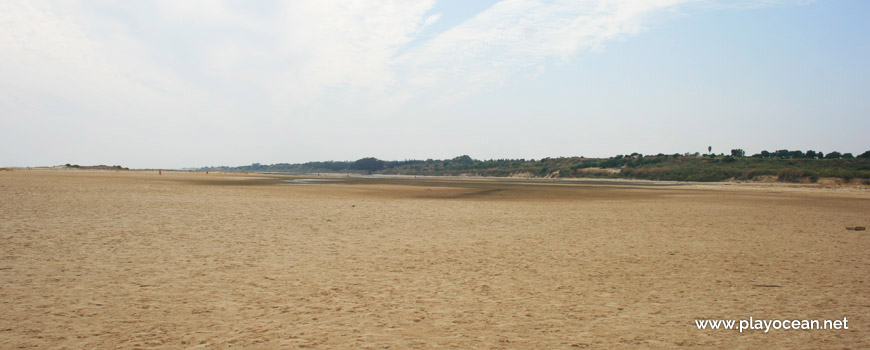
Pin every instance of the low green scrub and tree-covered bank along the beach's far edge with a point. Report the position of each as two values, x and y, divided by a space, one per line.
782 165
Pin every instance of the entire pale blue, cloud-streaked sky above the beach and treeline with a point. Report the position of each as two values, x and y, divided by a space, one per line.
179 84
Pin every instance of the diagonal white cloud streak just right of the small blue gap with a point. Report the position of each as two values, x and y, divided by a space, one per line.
516 36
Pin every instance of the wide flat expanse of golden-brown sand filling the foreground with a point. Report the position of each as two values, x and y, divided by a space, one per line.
101 259
